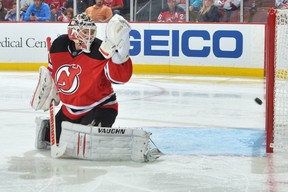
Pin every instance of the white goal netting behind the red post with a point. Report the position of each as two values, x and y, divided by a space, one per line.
280 120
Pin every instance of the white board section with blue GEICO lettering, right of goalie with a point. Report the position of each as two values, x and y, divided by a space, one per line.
199 44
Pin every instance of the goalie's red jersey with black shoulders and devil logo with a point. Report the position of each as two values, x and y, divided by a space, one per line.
84 80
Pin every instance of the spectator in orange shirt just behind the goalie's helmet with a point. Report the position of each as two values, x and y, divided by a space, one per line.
99 12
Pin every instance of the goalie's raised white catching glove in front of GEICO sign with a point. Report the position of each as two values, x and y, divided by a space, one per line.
116 44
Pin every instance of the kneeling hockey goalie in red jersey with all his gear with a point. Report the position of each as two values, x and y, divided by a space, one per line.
80 74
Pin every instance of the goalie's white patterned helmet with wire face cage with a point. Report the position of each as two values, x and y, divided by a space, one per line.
82 30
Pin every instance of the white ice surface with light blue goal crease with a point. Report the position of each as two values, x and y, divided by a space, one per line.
210 128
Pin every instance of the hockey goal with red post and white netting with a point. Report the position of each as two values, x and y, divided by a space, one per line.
276 63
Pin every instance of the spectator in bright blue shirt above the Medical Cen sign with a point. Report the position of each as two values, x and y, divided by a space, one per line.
38 11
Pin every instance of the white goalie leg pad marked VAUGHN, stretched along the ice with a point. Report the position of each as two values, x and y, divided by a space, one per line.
111 144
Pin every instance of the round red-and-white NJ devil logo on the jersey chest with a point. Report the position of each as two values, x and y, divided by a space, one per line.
67 78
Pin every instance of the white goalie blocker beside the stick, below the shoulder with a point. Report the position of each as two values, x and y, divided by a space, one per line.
45 91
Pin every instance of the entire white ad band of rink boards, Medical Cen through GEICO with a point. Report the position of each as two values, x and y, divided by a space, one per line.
240 45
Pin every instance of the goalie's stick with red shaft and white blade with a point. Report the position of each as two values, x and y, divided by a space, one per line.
56 151
